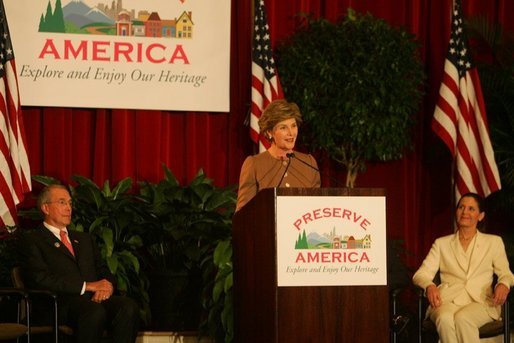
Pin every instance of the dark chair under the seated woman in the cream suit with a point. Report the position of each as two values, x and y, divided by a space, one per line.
426 328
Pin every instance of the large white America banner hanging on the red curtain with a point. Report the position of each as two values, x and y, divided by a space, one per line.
131 54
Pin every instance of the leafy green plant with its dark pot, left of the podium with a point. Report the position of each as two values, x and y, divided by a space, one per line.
187 245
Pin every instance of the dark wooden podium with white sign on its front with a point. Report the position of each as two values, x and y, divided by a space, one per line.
317 231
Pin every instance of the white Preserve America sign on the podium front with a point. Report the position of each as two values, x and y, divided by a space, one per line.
331 241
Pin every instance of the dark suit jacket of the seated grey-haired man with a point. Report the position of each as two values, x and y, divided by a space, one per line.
47 264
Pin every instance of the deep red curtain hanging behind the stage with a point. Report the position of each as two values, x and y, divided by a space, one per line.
106 144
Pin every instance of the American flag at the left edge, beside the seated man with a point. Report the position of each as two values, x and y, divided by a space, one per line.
14 163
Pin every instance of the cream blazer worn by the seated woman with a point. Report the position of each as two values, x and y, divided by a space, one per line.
460 282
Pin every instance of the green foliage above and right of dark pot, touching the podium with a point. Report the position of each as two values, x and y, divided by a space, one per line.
190 231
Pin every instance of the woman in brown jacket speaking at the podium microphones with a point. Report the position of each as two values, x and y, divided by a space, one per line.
280 165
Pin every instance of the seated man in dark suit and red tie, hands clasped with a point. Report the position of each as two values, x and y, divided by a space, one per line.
69 263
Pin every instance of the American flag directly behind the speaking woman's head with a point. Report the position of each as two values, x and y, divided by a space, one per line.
265 83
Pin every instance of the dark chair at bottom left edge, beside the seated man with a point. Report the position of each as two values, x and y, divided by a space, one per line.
14 330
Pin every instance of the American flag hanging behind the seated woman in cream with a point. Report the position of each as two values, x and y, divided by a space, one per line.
460 119
